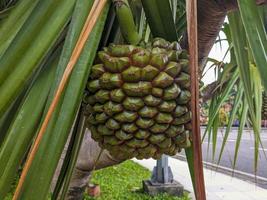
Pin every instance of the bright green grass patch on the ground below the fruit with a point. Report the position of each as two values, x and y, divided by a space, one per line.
124 182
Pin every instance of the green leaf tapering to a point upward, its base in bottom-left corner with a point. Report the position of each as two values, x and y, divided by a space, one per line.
24 126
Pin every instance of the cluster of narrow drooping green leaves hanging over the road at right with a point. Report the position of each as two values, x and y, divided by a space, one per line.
247 89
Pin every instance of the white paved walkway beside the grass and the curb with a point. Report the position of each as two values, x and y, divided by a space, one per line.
218 186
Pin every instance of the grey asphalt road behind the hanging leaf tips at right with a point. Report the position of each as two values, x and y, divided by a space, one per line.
245 161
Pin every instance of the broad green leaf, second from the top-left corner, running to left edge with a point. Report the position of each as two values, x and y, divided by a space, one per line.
29 47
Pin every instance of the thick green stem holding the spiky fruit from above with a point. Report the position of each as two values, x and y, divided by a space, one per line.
126 22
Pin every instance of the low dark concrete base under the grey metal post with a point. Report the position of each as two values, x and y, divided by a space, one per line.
174 188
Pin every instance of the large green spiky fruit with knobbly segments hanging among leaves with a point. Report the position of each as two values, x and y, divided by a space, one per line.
138 100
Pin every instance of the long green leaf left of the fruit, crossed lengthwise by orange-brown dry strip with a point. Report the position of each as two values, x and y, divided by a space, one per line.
59 127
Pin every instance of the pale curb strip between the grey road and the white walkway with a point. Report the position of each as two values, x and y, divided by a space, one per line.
257 180
